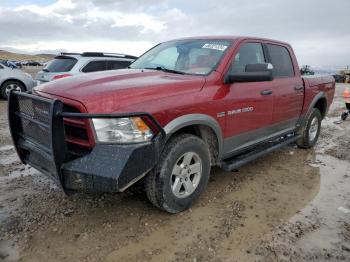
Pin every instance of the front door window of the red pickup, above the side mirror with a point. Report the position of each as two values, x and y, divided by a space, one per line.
250 53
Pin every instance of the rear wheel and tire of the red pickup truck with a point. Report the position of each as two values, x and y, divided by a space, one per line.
311 130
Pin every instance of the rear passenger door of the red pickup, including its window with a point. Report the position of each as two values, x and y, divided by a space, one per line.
288 88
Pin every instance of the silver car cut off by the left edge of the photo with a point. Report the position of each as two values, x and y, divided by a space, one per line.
11 78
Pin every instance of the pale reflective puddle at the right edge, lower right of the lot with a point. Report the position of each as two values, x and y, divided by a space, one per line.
332 204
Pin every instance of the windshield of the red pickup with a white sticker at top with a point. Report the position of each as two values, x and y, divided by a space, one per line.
197 57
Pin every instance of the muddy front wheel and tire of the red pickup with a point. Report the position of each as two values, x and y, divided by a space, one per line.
181 174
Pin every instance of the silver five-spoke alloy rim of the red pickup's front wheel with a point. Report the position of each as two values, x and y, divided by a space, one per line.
186 175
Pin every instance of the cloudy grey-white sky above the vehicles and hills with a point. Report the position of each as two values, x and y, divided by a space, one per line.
317 29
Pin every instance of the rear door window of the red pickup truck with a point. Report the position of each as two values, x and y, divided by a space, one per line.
281 61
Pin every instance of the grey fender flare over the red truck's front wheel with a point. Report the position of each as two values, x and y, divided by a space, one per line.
195 119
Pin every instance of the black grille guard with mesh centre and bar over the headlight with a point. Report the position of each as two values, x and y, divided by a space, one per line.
37 130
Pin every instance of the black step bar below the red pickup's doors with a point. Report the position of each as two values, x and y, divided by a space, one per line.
240 160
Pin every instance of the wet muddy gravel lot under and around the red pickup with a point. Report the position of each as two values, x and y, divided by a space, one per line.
292 205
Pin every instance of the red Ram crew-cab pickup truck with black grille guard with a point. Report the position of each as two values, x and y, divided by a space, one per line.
182 107
